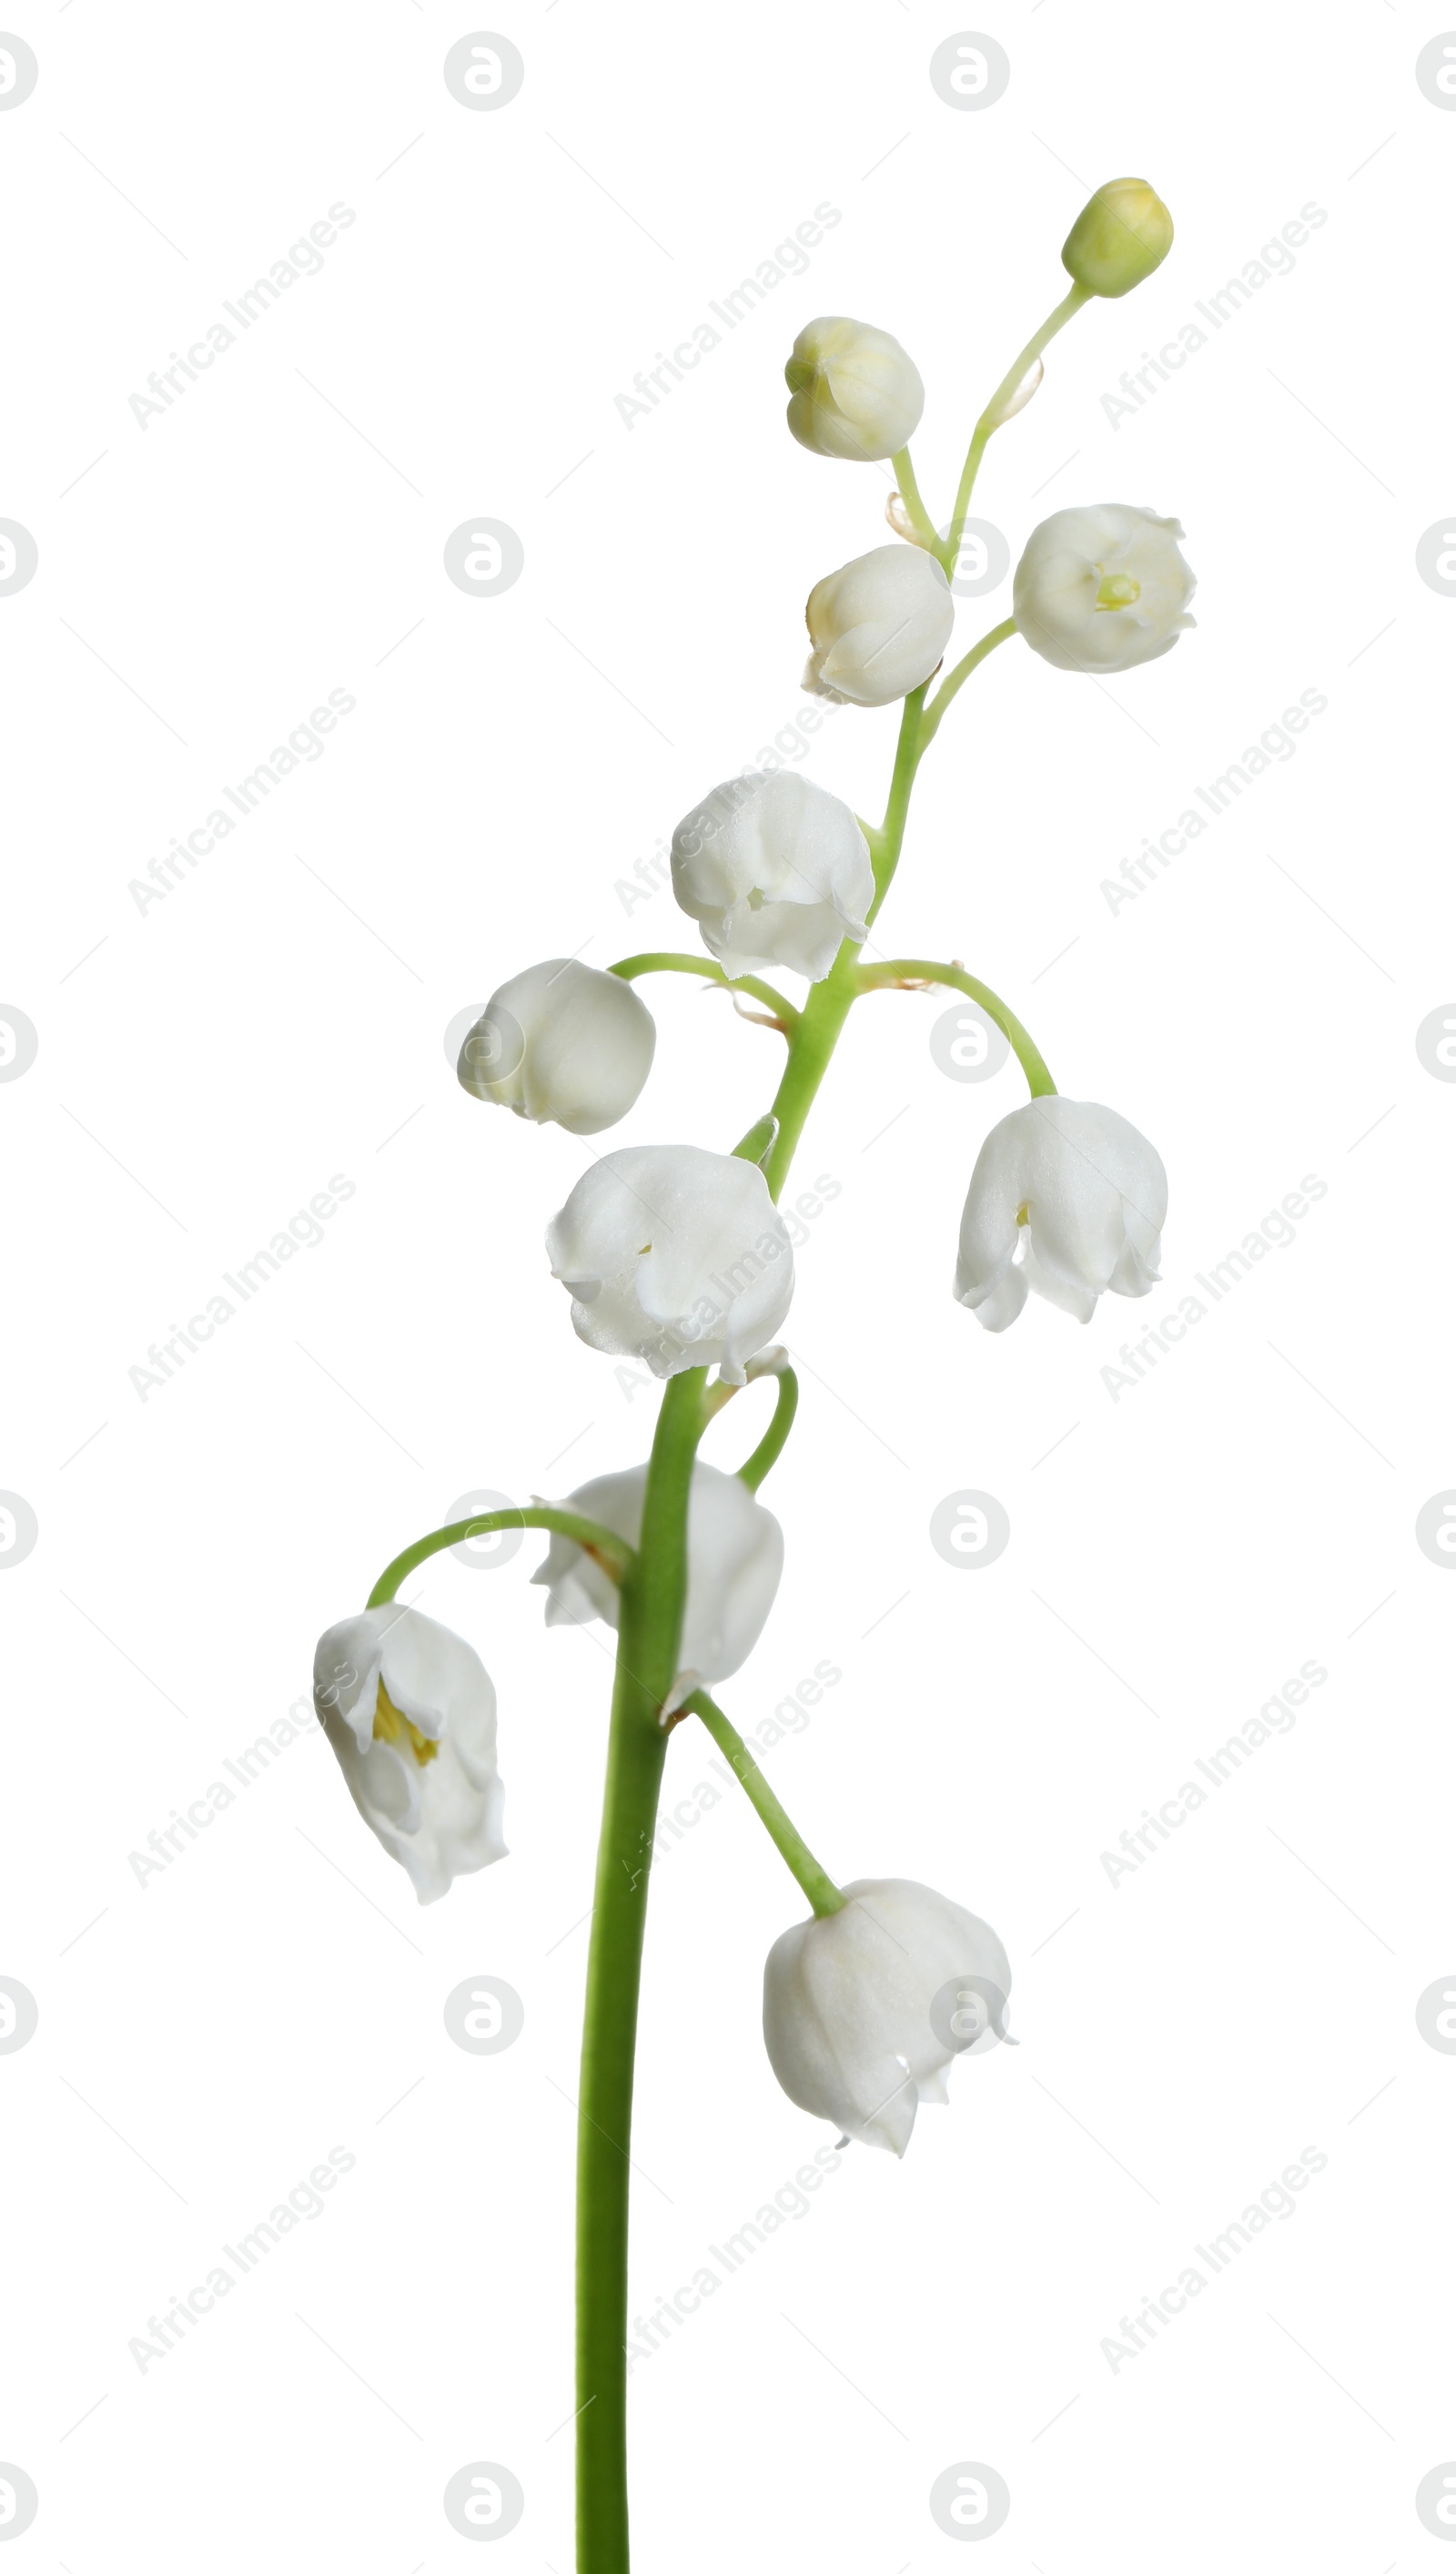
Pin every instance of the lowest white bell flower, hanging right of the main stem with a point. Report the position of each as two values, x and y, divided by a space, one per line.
863 2009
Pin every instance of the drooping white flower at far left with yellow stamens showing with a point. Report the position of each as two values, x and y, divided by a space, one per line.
413 1718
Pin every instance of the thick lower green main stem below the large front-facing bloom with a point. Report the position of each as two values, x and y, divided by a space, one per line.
650 1636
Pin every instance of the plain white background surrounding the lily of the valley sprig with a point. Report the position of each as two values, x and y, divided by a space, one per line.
207 1064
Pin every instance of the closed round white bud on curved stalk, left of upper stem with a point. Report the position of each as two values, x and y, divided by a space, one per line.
562 1044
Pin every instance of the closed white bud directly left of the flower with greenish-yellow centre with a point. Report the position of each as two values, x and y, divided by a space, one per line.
878 627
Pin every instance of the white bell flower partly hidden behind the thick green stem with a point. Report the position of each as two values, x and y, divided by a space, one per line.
734 1564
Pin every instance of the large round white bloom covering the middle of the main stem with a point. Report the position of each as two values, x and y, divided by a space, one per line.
675 1257
